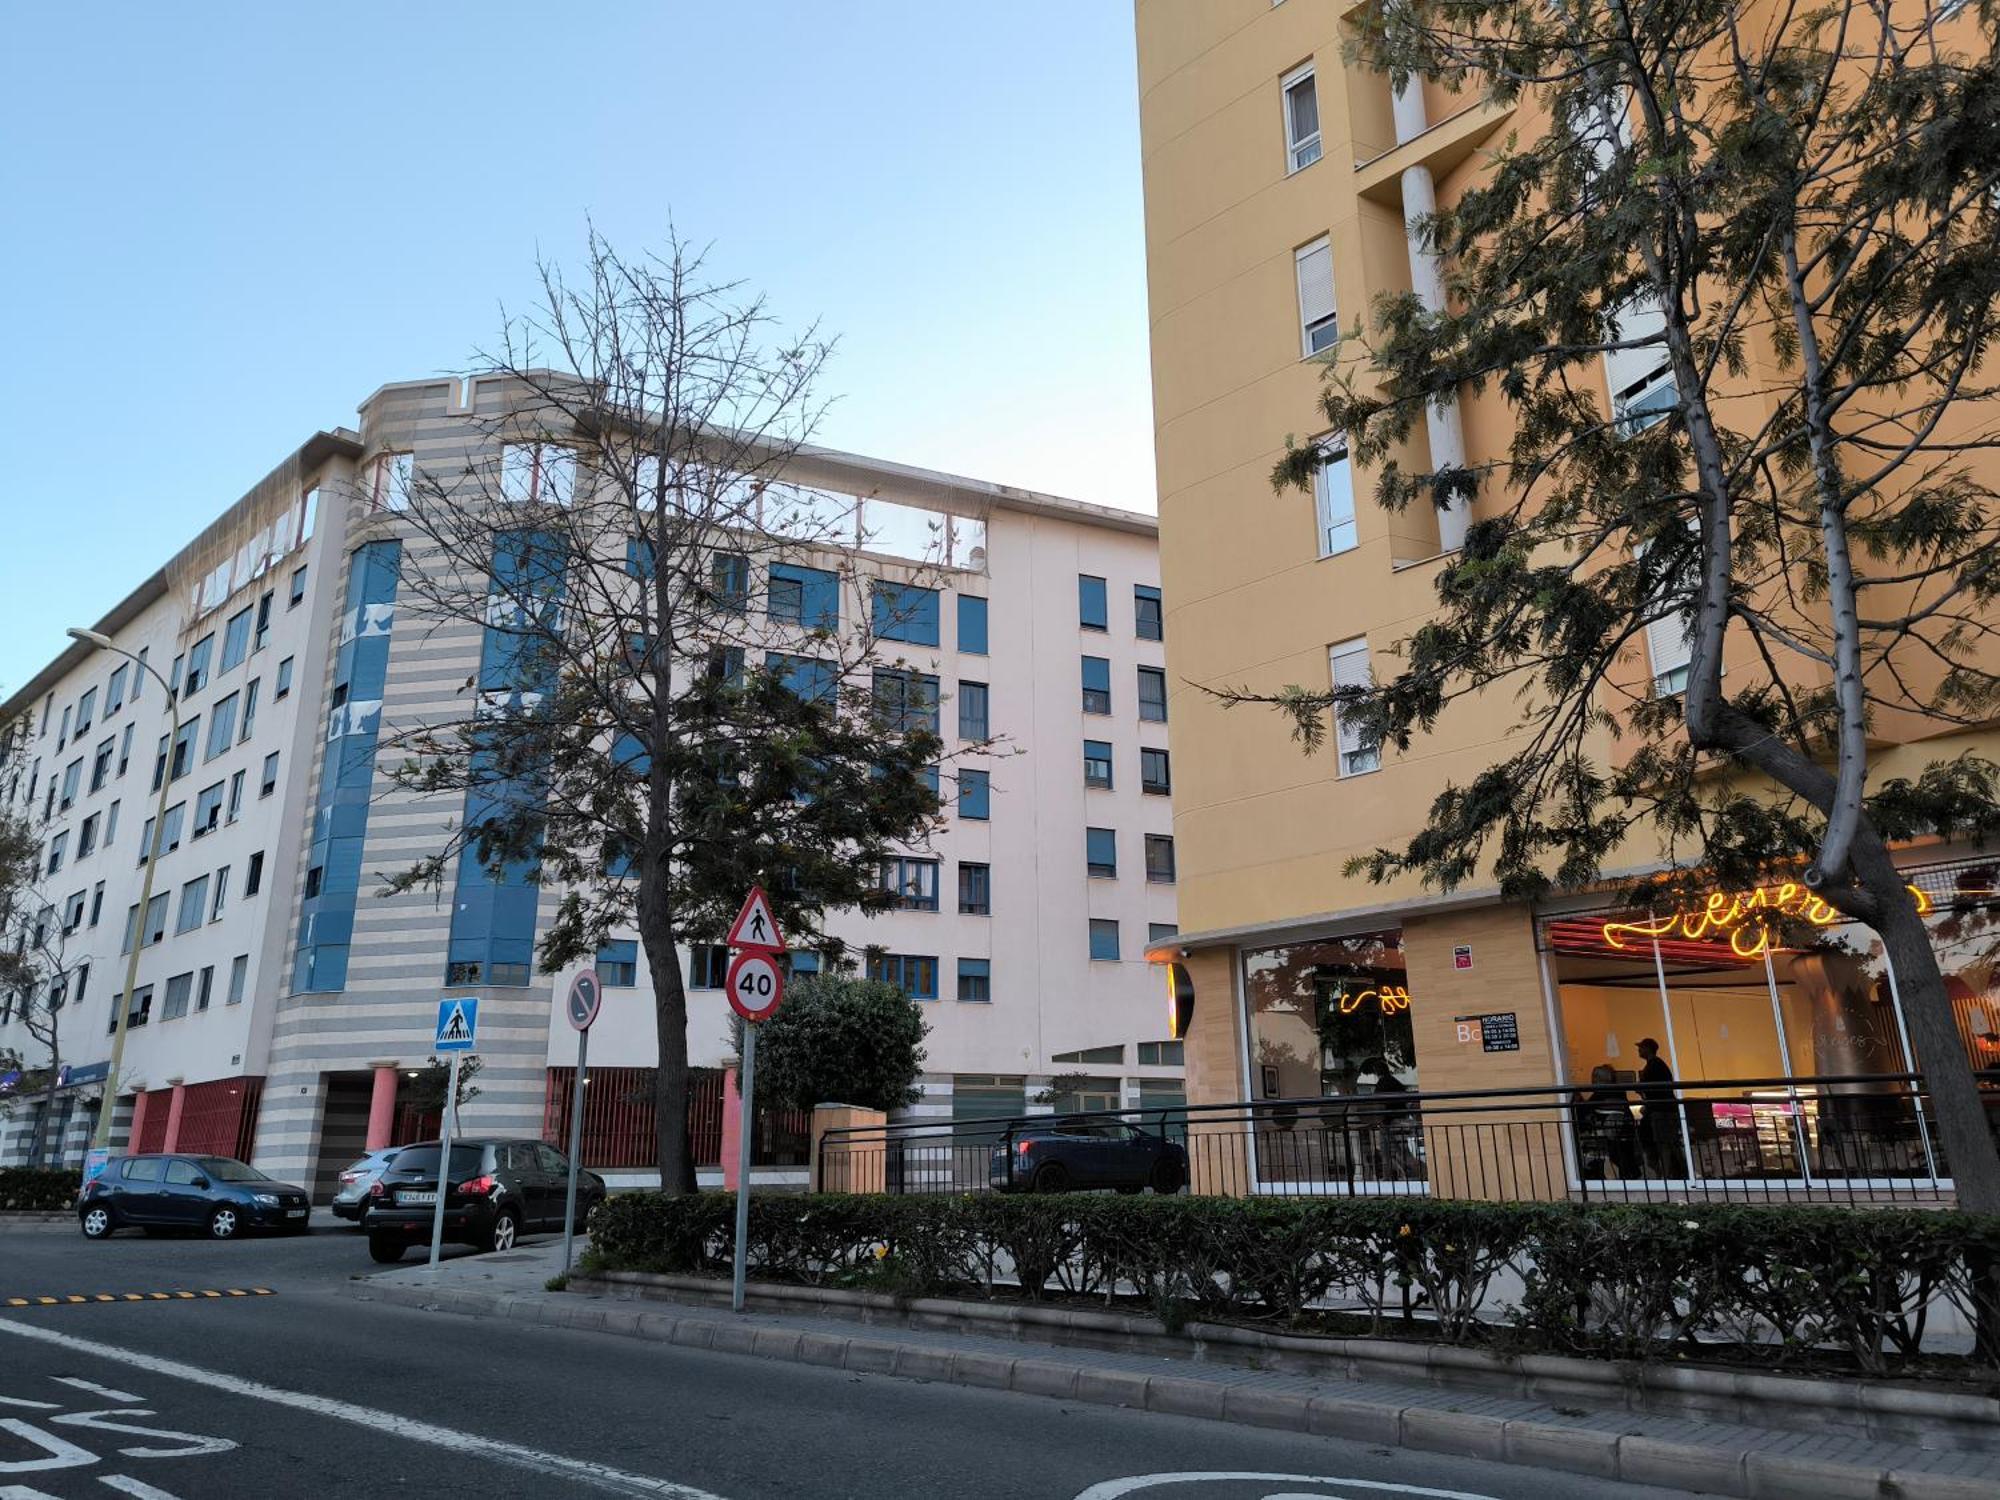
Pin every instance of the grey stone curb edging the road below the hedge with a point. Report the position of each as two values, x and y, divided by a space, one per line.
1749 1473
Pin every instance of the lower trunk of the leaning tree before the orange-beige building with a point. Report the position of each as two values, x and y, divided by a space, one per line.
1957 1105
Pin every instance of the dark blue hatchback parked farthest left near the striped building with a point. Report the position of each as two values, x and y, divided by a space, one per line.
215 1195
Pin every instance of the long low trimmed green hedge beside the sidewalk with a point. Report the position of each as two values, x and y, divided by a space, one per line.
1799 1285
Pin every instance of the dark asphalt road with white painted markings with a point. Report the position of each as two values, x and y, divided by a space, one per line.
311 1393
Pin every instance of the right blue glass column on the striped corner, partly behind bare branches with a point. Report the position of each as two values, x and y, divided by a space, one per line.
495 909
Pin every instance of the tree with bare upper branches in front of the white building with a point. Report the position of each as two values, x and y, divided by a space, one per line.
685 687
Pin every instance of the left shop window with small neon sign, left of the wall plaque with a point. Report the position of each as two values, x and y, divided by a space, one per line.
1331 1037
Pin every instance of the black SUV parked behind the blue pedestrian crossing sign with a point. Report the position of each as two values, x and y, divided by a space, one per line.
495 1193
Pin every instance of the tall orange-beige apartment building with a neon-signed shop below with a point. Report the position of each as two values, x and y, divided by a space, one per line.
1279 183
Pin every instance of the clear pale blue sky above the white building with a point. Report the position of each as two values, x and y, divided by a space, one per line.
229 223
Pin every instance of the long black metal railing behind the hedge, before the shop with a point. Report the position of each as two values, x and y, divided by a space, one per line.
1861 1139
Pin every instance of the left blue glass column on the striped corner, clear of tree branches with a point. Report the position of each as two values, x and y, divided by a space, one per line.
341 815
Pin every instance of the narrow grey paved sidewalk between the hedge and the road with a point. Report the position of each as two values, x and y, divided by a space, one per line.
1711 1457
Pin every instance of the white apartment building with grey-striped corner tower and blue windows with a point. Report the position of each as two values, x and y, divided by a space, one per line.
283 1005
